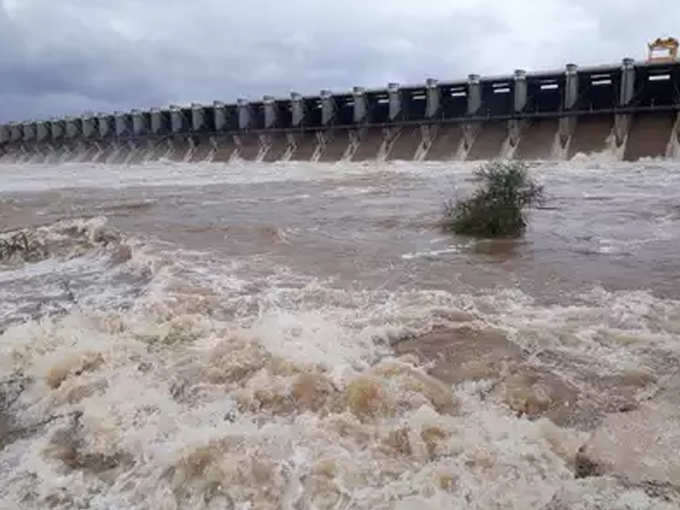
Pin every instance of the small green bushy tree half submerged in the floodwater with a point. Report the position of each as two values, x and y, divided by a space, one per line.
496 209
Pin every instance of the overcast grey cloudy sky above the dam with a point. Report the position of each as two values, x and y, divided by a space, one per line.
68 56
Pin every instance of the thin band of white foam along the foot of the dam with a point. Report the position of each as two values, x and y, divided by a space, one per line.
42 177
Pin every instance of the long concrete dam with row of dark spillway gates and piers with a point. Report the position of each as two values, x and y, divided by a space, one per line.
630 111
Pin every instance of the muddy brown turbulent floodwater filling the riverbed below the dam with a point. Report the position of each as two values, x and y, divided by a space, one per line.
306 336
